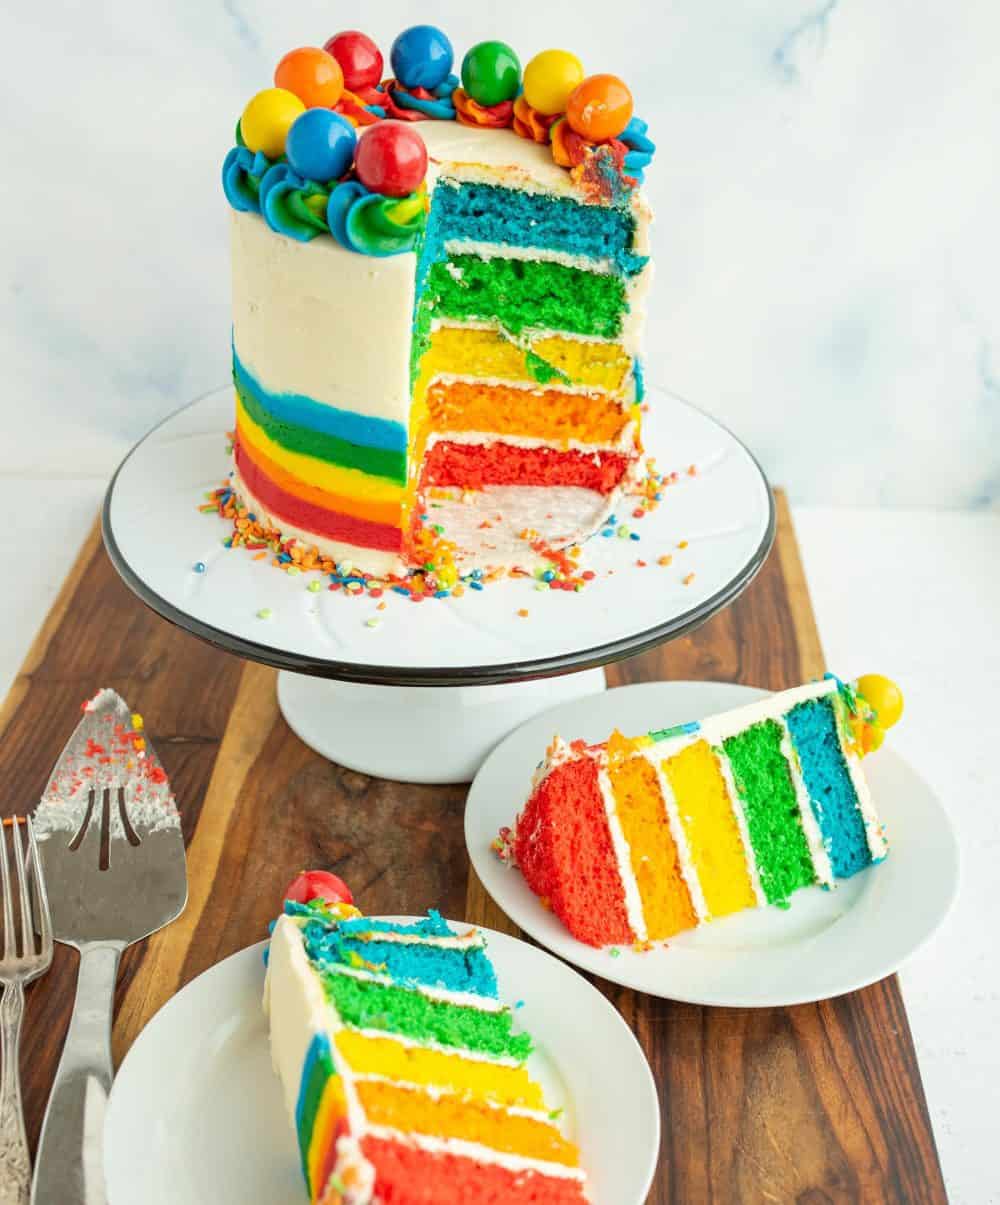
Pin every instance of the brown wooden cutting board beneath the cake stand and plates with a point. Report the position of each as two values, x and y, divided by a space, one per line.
815 1104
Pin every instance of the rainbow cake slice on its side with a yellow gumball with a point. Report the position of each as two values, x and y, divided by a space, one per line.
636 840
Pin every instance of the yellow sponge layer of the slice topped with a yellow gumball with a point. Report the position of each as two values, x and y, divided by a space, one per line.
710 828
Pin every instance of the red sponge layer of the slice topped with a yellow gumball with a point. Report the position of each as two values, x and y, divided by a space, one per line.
563 848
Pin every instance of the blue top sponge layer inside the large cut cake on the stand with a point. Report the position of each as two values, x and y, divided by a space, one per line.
487 214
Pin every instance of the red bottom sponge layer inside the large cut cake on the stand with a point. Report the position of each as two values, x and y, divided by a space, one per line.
474 466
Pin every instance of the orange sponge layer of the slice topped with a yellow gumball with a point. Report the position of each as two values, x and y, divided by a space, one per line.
667 903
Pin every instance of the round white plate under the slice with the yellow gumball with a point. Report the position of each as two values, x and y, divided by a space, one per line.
827 944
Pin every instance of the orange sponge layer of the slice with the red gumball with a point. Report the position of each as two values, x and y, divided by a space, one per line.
415 1112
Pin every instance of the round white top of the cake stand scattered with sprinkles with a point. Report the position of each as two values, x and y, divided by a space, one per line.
156 536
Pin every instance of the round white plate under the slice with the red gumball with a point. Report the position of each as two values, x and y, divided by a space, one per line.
196 1115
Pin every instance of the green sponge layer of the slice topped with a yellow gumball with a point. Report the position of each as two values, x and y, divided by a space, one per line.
764 784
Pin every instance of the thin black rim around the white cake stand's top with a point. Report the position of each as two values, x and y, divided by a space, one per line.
469 675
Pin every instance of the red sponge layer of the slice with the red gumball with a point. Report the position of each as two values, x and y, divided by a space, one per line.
407 1175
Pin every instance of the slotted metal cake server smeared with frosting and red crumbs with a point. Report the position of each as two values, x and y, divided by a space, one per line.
114 856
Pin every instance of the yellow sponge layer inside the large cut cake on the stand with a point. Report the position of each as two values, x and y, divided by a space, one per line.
487 354
